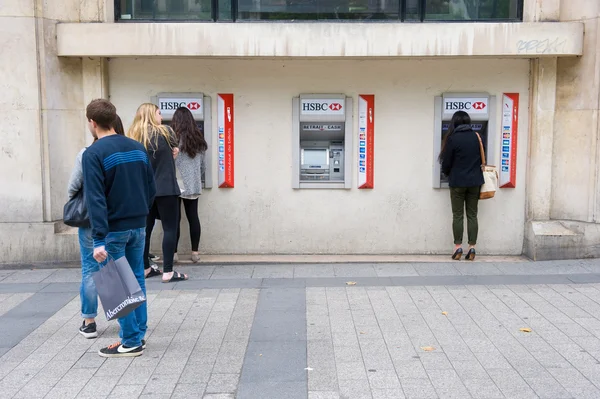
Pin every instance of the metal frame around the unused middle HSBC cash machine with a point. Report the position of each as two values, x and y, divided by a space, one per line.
348 144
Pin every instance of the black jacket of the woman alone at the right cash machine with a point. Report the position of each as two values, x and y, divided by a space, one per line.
461 160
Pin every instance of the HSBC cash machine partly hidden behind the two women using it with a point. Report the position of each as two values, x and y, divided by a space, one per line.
200 106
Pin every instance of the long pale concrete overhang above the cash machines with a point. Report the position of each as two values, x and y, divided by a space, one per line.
321 39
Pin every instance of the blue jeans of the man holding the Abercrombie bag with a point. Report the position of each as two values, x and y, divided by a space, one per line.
130 243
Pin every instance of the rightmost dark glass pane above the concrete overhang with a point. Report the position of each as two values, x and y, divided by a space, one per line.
464 10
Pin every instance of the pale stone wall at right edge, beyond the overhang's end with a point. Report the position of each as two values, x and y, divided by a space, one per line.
576 163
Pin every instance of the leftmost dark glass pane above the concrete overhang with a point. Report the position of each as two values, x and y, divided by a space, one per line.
165 9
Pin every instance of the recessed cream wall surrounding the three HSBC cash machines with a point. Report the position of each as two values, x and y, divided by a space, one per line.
403 214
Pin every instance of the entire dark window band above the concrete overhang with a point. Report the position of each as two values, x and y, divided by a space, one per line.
311 10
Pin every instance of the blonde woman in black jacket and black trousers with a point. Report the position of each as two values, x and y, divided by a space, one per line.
161 145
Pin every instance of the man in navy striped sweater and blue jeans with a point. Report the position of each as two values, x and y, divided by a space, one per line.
119 187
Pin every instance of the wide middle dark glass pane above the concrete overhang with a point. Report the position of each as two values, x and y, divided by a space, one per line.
318 9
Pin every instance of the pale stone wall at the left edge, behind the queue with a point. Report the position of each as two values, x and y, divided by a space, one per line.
42 126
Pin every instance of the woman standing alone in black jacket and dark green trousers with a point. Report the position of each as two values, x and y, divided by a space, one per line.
461 162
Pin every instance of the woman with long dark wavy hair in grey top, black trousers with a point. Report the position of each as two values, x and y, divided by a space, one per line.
190 167
